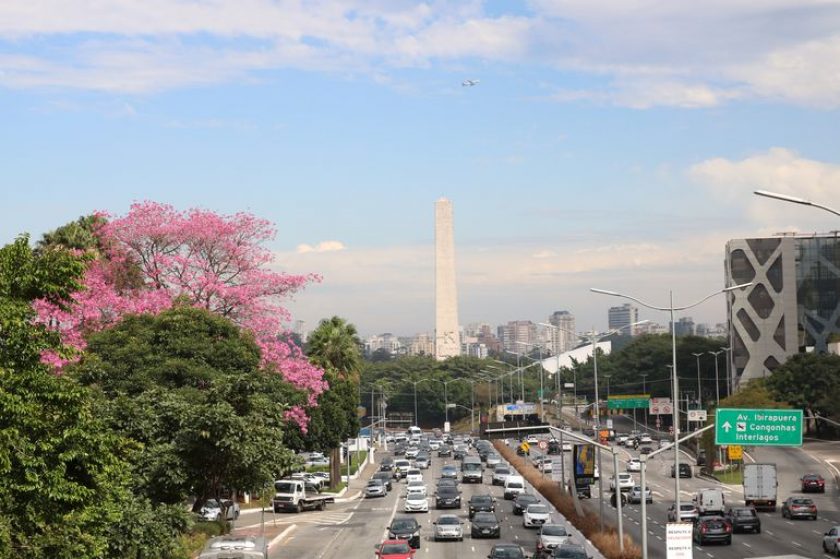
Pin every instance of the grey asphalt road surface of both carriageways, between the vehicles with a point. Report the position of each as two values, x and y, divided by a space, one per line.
350 530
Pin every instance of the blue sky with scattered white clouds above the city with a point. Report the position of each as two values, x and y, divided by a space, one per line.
612 144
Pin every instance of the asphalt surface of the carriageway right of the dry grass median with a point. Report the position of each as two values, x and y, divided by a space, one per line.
778 537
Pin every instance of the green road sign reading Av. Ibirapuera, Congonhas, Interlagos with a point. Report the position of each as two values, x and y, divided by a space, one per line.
758 427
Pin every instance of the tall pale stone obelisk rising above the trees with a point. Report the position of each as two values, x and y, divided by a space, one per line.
447 342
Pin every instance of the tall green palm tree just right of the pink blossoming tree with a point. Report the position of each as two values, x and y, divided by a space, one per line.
334 346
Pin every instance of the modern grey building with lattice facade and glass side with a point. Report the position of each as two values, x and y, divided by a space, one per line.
792 306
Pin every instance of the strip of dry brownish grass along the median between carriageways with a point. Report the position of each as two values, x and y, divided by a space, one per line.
606 541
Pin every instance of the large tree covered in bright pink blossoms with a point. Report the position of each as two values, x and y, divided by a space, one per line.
155 256
